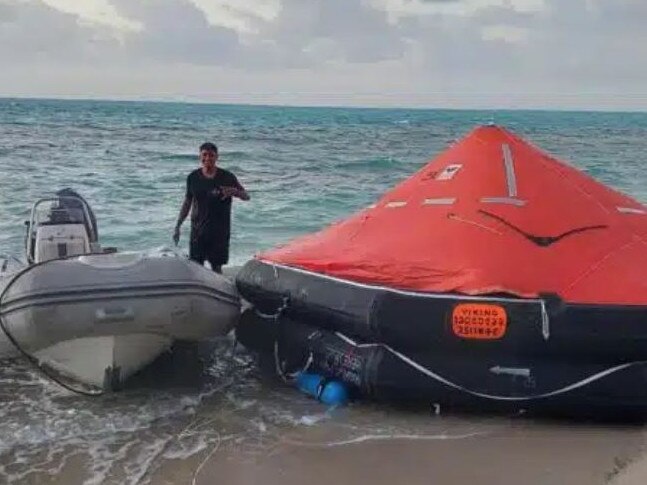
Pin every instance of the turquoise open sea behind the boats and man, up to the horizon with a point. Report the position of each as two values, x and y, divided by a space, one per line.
304 167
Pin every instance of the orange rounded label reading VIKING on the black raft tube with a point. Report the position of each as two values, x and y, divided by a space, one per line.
479 321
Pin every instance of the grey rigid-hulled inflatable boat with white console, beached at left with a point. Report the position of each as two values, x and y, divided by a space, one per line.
99 316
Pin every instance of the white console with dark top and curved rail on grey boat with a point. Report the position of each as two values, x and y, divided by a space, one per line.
61 226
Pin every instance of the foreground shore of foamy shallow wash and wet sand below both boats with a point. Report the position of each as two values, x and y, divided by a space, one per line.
240 428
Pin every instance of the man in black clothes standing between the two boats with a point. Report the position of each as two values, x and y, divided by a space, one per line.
209 192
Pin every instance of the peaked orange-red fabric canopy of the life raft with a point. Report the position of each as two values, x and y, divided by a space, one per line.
491 214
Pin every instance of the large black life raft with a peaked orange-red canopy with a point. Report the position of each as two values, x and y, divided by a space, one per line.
495 275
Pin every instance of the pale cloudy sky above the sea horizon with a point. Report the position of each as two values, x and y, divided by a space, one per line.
501 54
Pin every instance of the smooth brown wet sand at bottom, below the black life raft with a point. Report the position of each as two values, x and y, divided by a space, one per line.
519 452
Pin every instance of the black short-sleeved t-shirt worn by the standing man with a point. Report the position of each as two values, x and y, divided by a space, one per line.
210 214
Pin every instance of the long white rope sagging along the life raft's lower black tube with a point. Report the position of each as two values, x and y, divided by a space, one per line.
449 383
